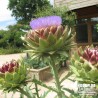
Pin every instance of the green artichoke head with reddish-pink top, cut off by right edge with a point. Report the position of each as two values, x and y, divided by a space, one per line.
84 64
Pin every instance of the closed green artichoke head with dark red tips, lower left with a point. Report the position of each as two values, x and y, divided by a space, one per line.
12 75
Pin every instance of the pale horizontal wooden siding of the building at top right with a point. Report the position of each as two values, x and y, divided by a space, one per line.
75 4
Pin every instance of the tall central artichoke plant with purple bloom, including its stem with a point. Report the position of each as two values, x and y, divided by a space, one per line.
48 39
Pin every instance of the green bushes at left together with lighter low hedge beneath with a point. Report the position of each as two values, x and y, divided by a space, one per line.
10 41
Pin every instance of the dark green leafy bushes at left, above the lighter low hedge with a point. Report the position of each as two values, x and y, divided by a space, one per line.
11 37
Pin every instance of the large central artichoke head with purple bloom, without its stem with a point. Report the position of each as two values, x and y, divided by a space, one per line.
49 37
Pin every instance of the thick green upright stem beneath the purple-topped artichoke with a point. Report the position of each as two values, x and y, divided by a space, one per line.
55 75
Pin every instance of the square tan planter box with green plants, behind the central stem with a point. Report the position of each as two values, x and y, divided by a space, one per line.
39 69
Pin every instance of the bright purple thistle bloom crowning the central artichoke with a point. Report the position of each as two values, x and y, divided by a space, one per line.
45 22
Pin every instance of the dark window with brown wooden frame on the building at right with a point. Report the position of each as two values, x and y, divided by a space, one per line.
87 31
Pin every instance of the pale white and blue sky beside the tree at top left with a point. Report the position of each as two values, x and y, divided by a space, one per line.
5 15
